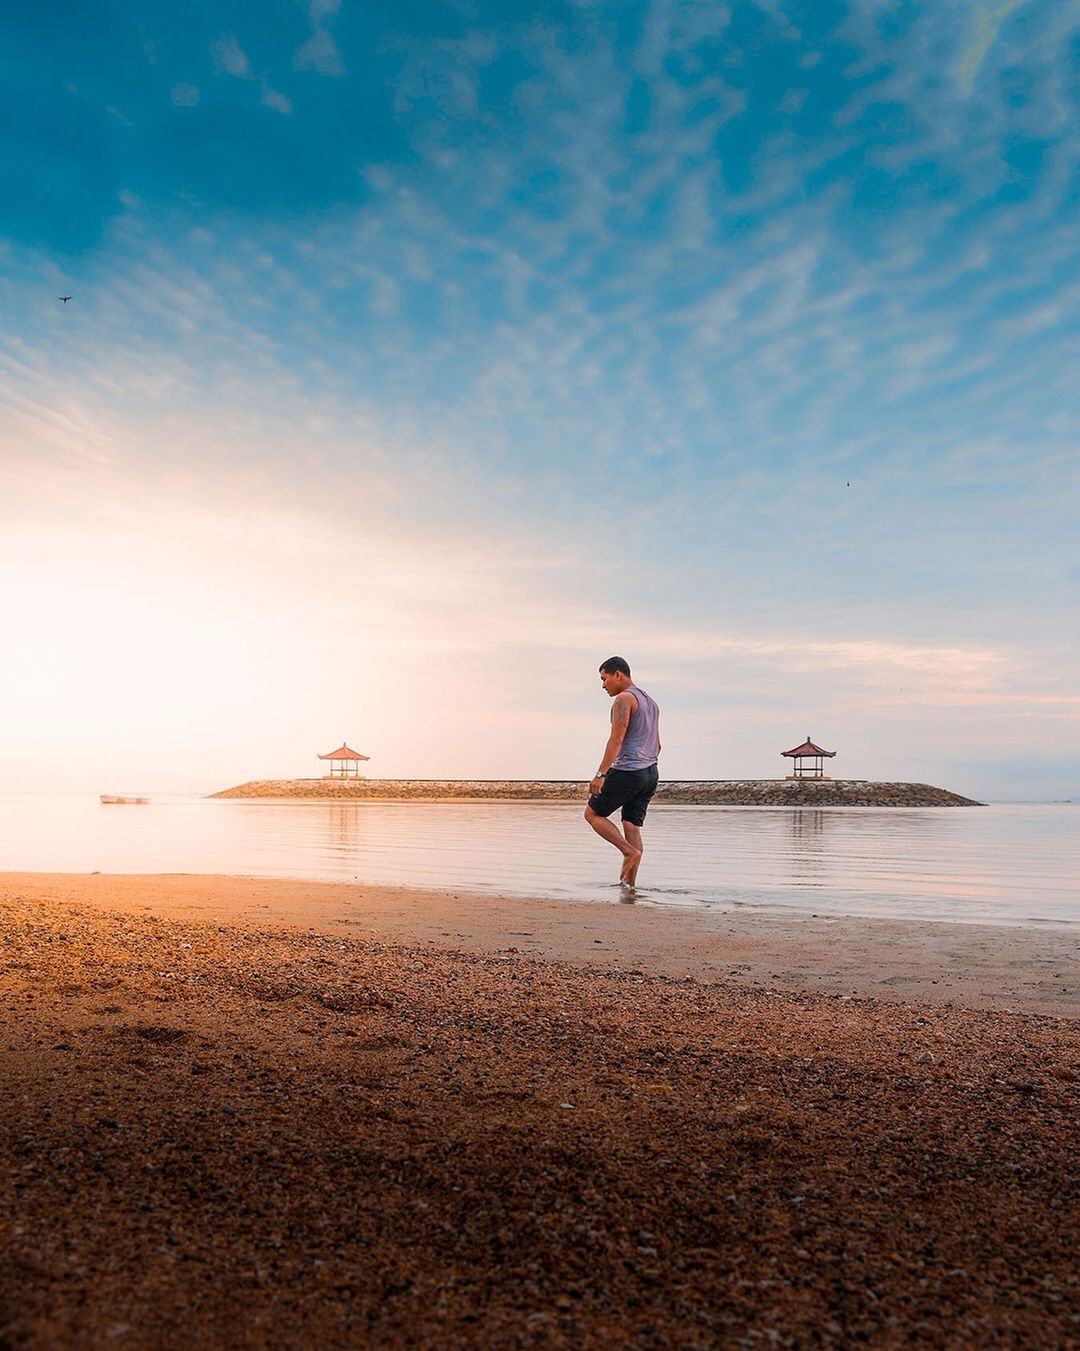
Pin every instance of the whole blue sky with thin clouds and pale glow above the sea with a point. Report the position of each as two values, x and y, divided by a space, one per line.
421 356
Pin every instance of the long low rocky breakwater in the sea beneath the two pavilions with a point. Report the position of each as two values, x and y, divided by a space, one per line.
739 792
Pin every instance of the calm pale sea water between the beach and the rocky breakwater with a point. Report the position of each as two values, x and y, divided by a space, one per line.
1004 864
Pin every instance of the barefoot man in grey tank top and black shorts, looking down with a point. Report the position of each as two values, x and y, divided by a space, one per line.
628 776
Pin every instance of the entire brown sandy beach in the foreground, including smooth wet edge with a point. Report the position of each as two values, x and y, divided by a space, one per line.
280 1114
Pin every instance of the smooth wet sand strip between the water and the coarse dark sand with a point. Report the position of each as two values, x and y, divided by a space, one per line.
1033 969
